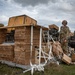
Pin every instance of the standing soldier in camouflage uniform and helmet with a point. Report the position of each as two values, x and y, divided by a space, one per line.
64 34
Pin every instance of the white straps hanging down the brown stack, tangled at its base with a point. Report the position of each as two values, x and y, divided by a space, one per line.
47 56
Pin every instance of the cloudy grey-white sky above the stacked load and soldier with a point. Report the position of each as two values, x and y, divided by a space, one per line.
46 12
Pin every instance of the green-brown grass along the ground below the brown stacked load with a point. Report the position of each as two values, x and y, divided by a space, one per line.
51 69
